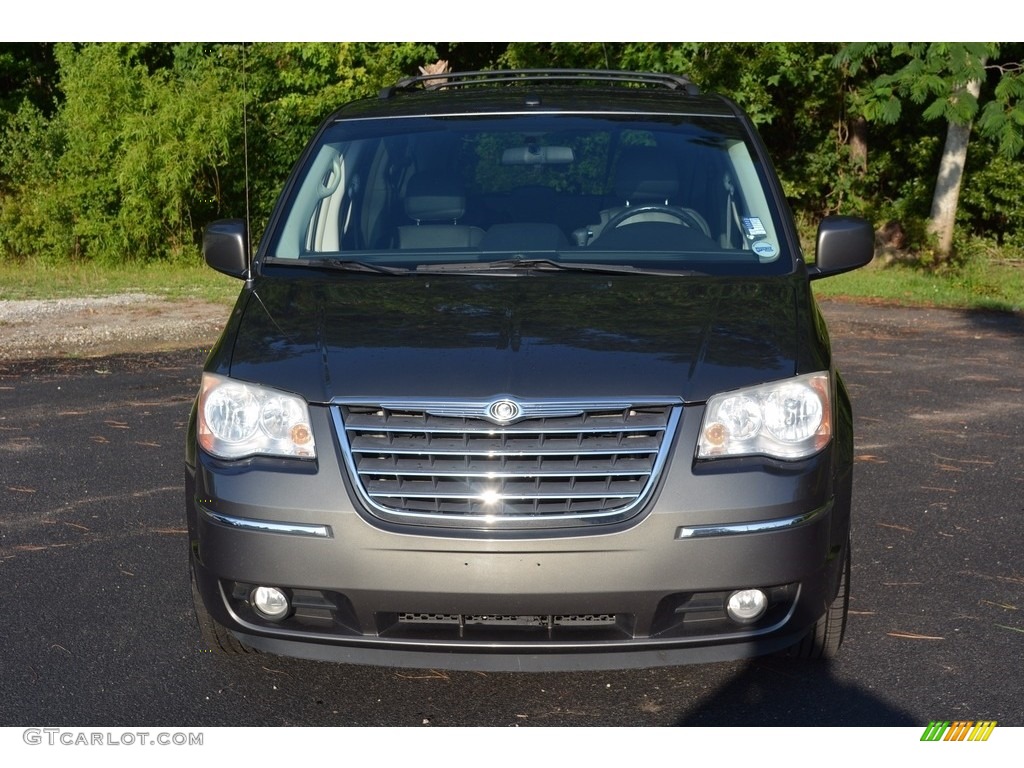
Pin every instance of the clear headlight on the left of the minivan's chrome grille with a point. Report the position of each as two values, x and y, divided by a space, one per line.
237 420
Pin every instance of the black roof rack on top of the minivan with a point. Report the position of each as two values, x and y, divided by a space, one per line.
487 77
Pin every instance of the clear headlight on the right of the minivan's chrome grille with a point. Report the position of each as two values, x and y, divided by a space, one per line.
789 419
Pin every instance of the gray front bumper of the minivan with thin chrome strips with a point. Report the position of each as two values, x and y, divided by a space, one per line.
647 592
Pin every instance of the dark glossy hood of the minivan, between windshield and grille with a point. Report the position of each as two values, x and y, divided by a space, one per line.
535 336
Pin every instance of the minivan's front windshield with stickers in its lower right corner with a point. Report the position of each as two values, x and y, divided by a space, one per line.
664 193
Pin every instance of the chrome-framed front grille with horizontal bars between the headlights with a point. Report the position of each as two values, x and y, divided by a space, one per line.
573 464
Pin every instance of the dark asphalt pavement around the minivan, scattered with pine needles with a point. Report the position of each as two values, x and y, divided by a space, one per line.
98 627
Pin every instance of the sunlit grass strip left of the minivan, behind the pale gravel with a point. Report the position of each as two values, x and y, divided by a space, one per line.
178 281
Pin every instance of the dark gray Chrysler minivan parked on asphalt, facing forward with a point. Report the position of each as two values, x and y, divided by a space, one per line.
526 374
